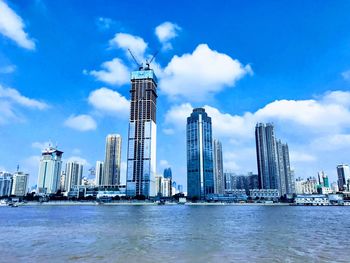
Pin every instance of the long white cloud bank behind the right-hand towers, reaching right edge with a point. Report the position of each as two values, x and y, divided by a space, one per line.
328 115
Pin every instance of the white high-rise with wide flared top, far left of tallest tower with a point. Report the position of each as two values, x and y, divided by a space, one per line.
49 171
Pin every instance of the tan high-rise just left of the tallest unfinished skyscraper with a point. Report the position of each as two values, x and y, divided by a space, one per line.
111 173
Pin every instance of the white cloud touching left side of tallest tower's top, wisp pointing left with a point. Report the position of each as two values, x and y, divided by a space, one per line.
114 72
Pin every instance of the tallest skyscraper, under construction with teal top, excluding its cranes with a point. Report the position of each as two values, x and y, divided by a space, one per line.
141 166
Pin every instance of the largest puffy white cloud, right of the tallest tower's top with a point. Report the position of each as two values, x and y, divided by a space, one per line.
202 73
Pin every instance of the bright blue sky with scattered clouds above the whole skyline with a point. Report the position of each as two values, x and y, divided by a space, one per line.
64 78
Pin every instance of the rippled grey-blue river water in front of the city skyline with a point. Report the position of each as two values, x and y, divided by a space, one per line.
174 234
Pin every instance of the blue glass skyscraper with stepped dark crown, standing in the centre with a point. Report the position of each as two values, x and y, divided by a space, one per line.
200 177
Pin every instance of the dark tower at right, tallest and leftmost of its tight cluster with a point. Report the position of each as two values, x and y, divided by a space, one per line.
267 158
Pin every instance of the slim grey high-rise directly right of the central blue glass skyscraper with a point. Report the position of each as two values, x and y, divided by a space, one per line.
219 183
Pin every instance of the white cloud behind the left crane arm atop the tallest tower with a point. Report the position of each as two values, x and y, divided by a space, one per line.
126 41
